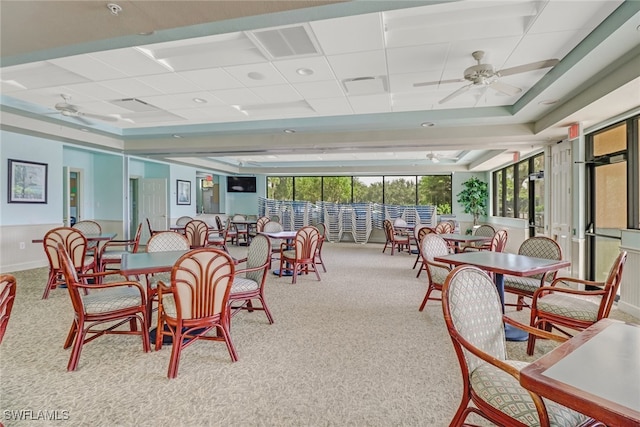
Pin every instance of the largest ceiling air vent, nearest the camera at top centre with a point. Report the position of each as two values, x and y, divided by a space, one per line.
286 42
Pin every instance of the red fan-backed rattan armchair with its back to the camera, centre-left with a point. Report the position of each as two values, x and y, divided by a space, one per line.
196 301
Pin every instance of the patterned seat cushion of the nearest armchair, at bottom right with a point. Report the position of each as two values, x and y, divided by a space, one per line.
504 392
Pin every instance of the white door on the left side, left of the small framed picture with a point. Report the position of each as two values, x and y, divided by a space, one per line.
152 197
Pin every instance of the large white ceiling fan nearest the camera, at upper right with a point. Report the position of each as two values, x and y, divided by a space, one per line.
484 75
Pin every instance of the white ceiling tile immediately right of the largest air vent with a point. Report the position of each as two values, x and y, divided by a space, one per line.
342 35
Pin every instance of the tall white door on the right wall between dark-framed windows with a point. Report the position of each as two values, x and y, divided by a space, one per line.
561 214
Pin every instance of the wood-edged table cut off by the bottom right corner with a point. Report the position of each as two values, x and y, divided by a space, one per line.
597 373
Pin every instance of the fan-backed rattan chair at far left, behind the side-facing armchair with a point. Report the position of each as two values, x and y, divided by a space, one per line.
75 244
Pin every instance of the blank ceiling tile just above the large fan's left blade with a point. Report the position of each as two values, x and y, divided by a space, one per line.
412 59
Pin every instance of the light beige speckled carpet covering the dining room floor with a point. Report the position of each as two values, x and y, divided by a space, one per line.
350 350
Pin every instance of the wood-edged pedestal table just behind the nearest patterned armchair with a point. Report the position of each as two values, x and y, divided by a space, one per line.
501 263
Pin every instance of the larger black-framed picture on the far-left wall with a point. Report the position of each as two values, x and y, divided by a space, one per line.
27 182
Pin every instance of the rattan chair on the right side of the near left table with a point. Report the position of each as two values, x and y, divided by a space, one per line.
248 282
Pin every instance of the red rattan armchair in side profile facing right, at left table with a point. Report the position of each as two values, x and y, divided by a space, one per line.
102 304
